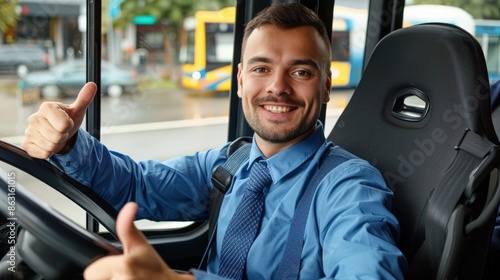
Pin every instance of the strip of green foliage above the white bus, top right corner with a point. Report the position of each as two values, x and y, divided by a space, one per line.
479 9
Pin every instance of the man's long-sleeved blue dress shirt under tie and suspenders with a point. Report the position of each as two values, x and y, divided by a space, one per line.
350 232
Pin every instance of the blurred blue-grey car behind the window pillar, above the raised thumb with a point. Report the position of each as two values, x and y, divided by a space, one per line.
67 78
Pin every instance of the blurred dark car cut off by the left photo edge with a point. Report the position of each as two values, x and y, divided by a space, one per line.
22 59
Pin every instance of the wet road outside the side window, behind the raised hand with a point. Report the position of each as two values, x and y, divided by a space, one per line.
147 105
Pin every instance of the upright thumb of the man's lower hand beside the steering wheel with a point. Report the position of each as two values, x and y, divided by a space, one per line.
128 234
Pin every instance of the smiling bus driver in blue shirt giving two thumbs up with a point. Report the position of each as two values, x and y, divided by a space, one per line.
283 80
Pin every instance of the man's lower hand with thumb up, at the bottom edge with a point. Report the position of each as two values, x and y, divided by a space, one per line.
139 259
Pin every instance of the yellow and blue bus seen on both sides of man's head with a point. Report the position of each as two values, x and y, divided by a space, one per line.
207 43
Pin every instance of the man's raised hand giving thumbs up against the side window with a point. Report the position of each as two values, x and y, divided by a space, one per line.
50 128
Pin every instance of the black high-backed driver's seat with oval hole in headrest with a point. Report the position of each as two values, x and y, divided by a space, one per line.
421 115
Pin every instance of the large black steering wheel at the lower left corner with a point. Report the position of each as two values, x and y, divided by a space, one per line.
52 245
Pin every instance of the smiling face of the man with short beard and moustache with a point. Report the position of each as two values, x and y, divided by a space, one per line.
280 82
